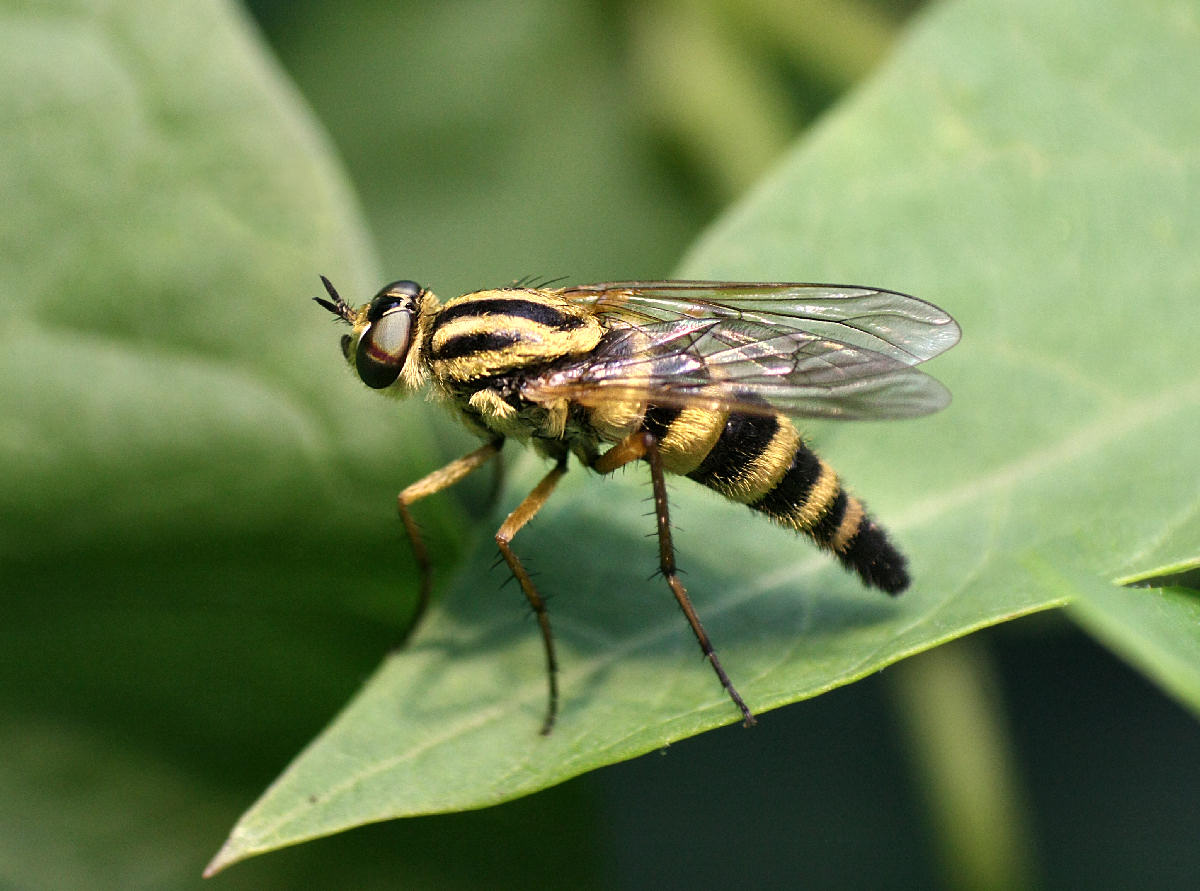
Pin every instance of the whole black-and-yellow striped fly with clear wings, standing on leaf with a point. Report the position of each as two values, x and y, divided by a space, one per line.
695 379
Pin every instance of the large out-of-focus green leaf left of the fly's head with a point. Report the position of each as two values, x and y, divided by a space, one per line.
152 285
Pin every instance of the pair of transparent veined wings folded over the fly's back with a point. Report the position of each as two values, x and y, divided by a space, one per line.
759 349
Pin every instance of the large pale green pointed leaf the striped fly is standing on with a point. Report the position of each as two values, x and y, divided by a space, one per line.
1030 168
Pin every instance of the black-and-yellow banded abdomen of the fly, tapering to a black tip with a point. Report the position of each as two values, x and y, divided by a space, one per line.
760 461
